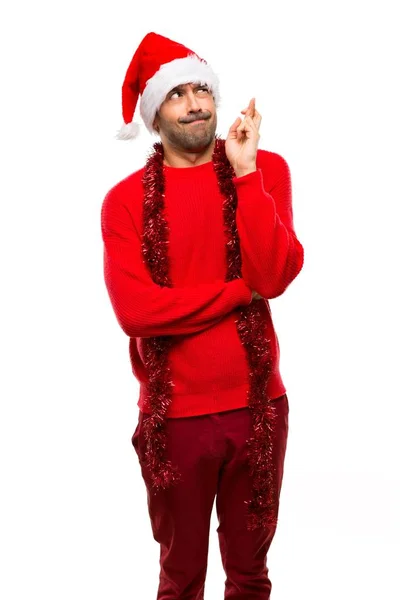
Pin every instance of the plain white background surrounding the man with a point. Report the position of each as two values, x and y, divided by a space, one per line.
333 82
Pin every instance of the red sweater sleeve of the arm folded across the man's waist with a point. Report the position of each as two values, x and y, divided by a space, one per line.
144 308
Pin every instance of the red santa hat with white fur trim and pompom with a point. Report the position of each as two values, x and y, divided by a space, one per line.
158 65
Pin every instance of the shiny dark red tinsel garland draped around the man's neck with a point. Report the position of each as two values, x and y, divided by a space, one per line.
261 510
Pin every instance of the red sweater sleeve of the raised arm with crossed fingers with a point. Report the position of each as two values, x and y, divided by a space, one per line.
272 256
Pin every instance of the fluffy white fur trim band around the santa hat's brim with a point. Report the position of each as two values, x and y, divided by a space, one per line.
177 72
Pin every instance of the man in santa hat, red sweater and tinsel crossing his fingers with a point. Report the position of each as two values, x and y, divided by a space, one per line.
195 244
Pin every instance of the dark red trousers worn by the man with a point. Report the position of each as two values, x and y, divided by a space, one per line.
211 454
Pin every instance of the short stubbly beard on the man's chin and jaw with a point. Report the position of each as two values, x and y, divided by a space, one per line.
190 137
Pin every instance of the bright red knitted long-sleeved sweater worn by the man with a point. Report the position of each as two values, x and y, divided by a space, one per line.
208 362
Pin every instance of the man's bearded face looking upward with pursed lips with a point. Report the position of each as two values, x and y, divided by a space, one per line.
177 114
